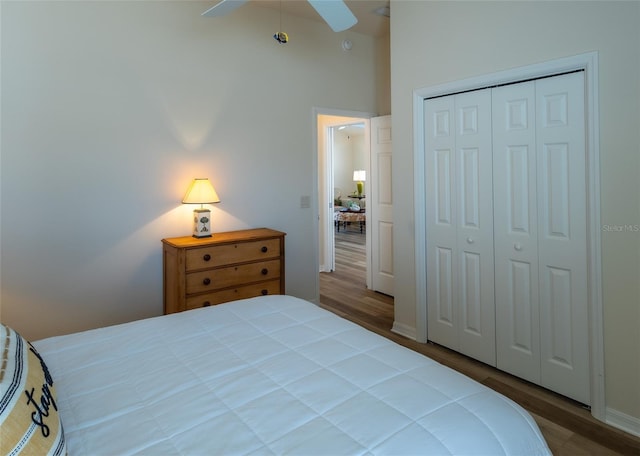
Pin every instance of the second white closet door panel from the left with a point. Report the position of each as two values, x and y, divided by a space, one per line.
474 192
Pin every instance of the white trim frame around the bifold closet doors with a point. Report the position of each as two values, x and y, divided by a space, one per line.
589 63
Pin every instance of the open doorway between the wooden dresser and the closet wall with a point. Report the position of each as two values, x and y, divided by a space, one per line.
342 290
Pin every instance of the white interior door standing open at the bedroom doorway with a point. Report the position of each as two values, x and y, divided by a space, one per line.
380 206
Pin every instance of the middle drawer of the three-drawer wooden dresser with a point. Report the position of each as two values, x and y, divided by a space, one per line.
213 279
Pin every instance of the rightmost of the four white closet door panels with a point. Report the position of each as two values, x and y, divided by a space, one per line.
562 235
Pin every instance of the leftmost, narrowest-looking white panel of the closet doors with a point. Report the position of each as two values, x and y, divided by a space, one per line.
442 311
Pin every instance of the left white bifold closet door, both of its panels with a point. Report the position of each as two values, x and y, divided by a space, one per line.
460 224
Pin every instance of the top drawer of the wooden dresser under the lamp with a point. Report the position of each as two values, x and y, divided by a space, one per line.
220 255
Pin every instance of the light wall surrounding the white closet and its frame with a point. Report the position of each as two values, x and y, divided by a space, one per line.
437 42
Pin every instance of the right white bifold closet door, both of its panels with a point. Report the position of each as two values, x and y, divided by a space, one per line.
539 173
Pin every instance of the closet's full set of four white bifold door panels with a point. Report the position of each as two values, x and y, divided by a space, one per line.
506 229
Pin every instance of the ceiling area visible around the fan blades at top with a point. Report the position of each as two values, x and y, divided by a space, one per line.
369 22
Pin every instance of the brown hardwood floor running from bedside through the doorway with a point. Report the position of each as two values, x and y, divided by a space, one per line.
568 427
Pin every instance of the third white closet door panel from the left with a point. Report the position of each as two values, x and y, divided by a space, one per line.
515 227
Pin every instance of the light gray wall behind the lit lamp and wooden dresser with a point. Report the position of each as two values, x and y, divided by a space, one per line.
109 109
